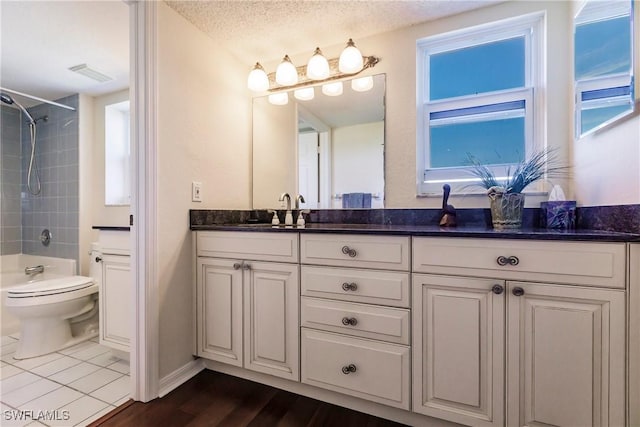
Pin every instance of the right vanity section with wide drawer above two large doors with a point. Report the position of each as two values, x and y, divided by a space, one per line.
538 325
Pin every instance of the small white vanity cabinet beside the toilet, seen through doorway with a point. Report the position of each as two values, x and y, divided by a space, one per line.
111 268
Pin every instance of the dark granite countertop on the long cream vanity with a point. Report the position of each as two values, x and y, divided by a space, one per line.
433 231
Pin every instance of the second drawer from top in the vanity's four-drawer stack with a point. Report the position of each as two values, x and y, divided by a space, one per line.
350 284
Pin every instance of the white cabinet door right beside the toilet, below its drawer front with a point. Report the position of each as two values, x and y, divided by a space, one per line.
115 302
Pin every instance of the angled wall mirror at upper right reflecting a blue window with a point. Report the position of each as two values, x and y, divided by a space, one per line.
603 46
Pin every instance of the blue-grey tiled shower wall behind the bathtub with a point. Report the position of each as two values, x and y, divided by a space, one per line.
56 207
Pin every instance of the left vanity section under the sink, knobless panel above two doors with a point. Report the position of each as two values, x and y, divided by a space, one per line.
247 305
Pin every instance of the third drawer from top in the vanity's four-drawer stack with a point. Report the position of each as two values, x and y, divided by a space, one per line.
363 320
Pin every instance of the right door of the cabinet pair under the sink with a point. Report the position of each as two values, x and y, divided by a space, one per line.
271 310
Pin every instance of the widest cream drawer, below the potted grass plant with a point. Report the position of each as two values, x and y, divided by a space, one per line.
591 264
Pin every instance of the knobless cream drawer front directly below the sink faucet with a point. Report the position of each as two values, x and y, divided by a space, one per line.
245 245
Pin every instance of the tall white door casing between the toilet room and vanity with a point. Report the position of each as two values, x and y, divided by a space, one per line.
144 344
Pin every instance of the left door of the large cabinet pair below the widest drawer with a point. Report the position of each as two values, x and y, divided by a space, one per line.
458 349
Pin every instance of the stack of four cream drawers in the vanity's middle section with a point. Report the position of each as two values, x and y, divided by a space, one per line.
355 316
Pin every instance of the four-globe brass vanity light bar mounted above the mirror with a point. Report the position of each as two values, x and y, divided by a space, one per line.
318 70
